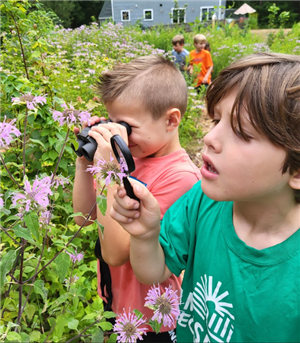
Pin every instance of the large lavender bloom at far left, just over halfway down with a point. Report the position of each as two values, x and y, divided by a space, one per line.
35 196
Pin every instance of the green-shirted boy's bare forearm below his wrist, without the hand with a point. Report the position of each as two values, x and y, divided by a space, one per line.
148 261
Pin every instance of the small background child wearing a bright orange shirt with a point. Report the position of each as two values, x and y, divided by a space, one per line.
202 58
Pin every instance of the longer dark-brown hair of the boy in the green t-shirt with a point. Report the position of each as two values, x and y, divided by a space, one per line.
268 87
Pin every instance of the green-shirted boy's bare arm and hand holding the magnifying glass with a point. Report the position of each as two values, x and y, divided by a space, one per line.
142 222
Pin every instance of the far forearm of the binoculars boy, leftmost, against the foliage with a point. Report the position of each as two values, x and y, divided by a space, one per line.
84 195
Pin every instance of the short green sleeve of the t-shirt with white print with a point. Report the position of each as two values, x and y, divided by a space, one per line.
177 236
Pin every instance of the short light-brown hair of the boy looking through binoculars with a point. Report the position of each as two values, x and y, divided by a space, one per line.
153 81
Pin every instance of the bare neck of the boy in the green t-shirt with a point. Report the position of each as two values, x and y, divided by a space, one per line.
265 224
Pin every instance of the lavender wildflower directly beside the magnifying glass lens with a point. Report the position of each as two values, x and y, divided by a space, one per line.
108 170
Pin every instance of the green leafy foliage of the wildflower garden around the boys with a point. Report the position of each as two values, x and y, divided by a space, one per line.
41 298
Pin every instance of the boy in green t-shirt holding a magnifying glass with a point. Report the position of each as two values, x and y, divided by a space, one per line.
237 232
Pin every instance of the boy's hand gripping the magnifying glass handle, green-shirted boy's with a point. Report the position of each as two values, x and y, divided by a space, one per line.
141 220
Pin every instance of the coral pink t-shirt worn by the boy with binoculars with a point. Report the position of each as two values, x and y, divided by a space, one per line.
167 178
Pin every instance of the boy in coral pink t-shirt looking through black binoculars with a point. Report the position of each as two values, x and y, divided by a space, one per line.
149 94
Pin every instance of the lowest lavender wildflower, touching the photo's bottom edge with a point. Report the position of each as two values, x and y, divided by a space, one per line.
127 327
